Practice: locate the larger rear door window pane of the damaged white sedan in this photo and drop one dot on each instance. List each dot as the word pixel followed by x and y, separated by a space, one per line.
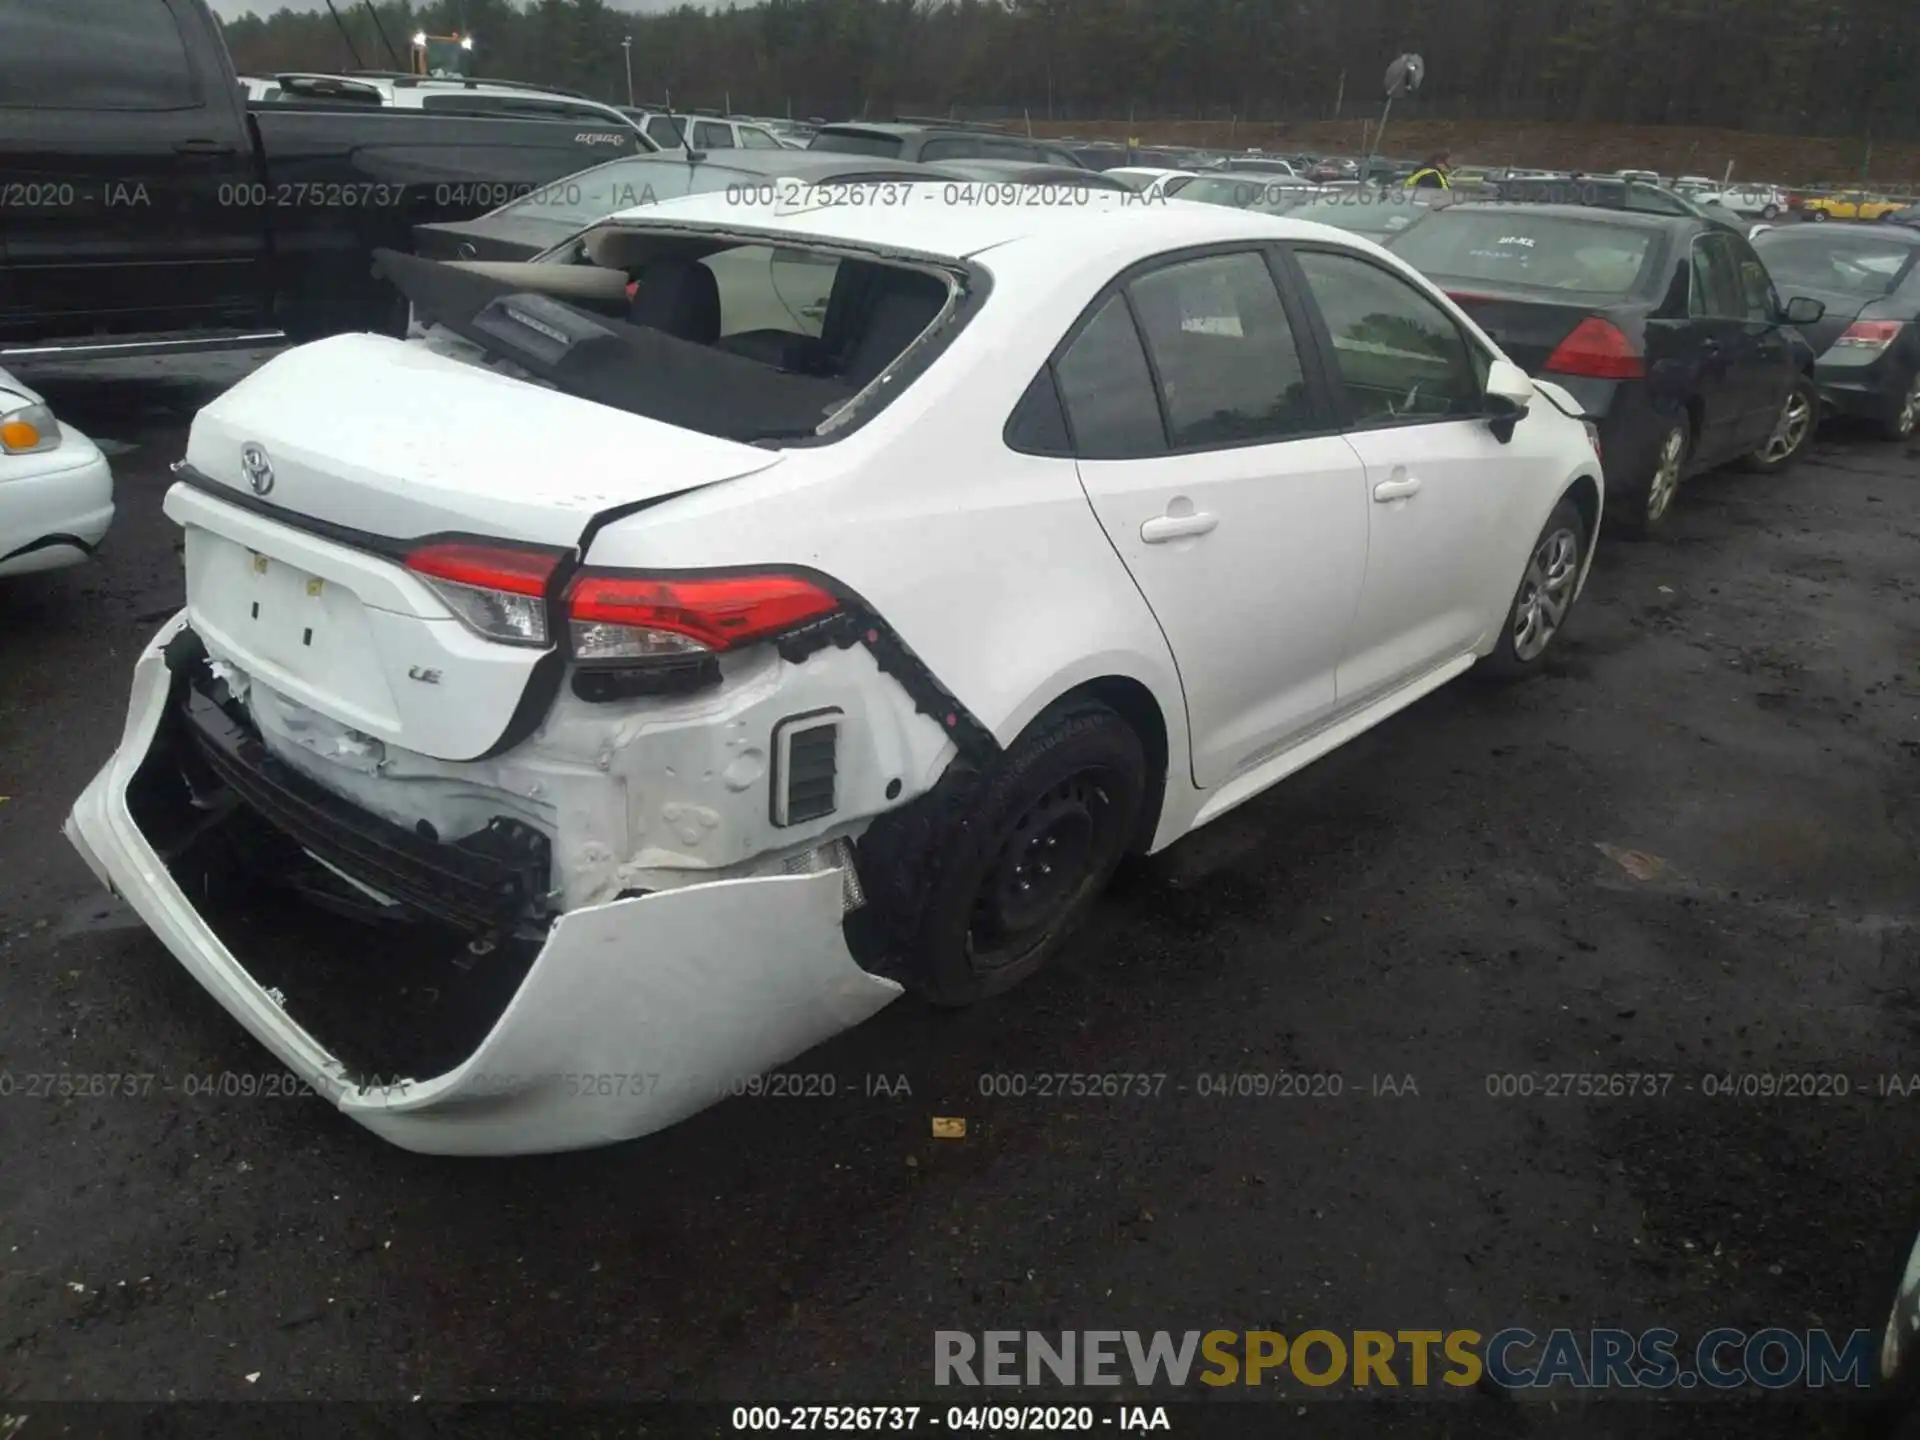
pixel 1230 372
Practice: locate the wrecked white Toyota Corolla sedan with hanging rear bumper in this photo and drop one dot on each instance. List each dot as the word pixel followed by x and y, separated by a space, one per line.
pixel 765 606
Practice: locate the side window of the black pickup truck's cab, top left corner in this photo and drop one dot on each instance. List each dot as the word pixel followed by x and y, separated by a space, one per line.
pixel 93 55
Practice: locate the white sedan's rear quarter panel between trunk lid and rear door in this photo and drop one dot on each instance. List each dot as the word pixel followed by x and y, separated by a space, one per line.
pixel 988 564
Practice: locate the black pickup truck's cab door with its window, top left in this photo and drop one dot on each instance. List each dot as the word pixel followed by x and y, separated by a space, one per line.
pixel 128 147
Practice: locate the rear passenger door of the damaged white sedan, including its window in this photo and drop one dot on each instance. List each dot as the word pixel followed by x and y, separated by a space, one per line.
pixel 1216 471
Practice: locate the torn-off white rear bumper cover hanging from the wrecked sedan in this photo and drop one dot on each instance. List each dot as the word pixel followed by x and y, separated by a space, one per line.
pixel 631 1017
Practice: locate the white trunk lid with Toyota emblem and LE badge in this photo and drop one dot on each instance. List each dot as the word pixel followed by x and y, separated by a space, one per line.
pixel 389 443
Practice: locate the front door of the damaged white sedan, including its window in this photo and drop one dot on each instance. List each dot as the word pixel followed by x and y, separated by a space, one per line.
pixel 1439 491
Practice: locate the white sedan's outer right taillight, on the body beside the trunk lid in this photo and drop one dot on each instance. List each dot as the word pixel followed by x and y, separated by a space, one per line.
pixel 636 617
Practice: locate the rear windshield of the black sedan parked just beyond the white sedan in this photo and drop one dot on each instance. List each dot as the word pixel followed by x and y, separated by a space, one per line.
pixel 1539 252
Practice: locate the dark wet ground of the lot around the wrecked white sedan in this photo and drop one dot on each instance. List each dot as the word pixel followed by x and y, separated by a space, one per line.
pixel 1687 853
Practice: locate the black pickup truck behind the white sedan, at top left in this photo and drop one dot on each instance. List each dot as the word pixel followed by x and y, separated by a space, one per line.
pixel 147 208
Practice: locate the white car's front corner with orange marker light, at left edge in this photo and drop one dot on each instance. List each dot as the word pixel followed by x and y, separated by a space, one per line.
pixel 57 489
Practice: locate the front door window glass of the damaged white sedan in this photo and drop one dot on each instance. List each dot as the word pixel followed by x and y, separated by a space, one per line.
pixel 1401 356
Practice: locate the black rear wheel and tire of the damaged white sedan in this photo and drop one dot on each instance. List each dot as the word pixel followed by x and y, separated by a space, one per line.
pixel 1030 853
